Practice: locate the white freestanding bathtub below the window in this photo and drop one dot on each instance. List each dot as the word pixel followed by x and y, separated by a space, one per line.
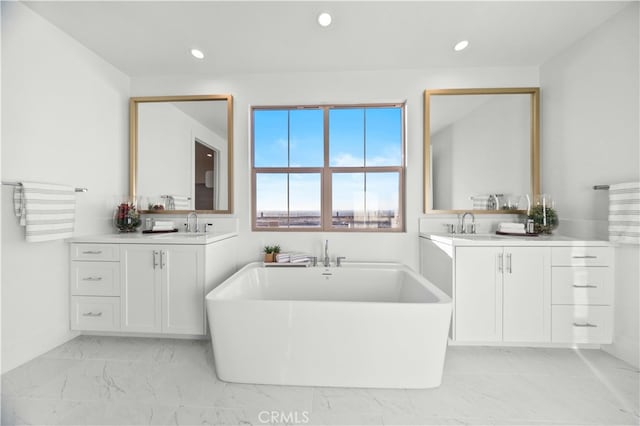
pixel 359 325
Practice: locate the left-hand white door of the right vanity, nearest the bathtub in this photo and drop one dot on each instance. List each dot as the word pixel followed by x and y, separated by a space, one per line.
pixel 478 294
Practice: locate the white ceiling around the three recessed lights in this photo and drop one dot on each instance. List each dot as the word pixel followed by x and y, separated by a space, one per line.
pixel 144 38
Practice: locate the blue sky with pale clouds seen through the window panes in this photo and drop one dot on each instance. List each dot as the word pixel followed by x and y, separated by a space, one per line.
pixel 299 134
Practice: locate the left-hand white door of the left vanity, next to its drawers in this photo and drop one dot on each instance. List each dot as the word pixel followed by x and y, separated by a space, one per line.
pixel 141 291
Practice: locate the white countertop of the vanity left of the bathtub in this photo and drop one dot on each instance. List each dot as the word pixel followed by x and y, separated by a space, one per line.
pixel 168 238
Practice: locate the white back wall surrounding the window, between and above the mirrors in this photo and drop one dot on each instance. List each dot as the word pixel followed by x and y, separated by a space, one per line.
pixel 343 87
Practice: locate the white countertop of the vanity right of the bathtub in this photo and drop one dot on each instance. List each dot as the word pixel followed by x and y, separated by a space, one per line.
pixel 508 240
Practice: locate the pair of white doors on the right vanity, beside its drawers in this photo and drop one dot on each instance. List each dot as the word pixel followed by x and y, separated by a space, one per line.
pixel 502 294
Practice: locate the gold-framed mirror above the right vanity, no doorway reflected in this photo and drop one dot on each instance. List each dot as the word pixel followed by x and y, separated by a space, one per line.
pixel 481 149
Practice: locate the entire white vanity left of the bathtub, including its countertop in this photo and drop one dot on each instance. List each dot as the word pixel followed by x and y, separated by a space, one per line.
pixel 126 284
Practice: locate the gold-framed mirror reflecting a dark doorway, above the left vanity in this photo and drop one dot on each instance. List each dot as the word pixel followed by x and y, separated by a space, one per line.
pixel 181 153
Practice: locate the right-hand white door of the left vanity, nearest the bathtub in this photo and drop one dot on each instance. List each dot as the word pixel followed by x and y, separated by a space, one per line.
pixel 183 289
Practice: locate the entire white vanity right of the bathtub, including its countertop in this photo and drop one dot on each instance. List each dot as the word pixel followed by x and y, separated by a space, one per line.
pixel 529 290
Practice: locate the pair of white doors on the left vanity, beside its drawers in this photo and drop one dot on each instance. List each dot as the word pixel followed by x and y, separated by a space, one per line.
pixel 162 288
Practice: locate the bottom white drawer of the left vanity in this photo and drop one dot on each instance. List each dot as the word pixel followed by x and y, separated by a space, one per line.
pixel 95 313
